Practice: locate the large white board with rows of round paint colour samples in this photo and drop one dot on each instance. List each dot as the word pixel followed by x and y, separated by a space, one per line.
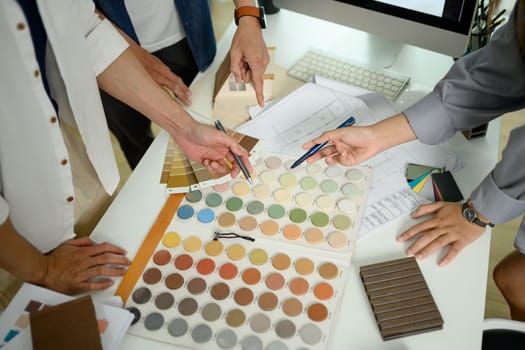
pixel 260 266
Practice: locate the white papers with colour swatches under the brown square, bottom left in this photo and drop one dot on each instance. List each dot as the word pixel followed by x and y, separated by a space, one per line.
pixel 15 331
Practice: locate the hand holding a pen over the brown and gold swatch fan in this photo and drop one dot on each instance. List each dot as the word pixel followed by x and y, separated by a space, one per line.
pixel 211 147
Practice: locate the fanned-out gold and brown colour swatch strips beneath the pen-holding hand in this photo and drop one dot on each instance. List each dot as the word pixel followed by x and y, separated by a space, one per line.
pixel 181 174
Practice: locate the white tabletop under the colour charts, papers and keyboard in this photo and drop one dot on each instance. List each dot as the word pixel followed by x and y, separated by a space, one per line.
pixel 458 289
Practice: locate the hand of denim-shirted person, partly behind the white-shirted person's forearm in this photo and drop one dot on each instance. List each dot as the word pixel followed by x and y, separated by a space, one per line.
pixel 163 75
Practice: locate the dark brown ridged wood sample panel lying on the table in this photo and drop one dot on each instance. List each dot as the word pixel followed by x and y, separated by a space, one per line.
pixel 400 298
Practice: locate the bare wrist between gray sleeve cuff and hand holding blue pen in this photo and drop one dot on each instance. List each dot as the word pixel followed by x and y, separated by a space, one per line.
pixel 392 131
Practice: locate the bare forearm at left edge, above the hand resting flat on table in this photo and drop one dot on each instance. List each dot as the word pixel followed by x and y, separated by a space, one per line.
pixel 19 257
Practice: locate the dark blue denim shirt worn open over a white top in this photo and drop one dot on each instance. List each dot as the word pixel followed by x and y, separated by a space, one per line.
pixel 196 21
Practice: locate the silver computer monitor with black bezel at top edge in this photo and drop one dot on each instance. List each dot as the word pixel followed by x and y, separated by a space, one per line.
pixel 438 25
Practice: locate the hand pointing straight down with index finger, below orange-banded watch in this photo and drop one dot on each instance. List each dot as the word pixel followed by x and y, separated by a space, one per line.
pixel 249 55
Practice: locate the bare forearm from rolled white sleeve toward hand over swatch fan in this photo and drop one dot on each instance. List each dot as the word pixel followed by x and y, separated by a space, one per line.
pixel 127 80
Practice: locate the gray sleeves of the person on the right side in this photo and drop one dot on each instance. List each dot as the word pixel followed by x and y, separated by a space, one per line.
pixel 480 87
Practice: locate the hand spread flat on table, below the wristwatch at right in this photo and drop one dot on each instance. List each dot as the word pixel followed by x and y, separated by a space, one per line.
pixel 446 227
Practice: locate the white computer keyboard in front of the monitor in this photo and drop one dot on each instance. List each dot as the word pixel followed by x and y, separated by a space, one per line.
pixel 381 81
